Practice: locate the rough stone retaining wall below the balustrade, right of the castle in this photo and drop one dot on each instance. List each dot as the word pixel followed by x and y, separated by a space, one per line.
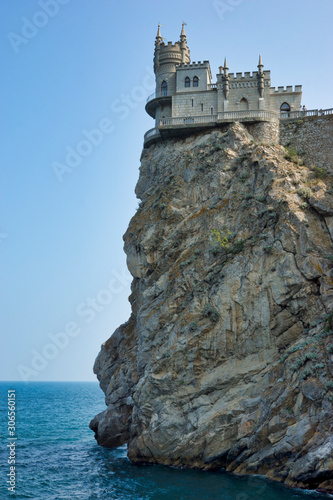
pixel 312 137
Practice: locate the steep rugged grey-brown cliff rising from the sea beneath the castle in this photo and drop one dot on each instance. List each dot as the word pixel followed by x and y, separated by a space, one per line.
pixel 227 359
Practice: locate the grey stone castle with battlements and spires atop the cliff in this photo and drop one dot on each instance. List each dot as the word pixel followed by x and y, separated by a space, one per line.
pixel 186 98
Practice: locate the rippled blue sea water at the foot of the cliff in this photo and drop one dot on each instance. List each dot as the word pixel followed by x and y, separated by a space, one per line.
pixel 57 456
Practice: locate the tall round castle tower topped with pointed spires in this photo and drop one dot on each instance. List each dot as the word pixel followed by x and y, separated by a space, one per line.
pixel 166 58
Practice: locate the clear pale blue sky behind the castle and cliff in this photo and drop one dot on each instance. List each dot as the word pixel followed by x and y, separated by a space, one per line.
pixel 68 66
